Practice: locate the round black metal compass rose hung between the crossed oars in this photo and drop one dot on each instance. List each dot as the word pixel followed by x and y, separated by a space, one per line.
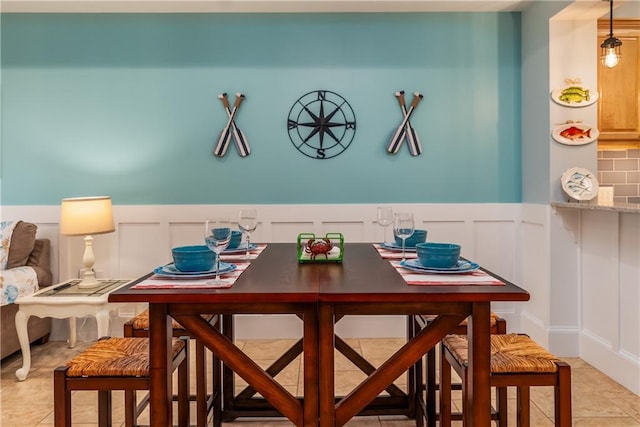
pixel 321 124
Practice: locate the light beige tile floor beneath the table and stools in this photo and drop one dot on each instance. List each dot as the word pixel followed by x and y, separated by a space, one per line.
pixel 597 400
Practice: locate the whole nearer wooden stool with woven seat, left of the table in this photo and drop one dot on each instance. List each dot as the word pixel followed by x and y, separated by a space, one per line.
pixel 117 364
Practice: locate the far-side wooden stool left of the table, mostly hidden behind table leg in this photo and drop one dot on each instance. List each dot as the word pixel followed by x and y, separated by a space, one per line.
pixel 138 326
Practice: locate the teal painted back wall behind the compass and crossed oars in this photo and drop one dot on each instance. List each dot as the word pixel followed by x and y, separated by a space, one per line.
pixel 126 105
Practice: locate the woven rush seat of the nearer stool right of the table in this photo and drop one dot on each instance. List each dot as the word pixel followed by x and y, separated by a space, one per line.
pixel 510 354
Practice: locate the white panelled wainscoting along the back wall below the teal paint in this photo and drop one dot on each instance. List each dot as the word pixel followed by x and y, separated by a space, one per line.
pixel 144 236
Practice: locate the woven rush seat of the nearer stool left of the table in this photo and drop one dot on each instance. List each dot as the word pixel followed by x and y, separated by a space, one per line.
pixel 115 357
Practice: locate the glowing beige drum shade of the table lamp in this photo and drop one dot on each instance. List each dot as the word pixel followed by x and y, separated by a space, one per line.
pixel 86 215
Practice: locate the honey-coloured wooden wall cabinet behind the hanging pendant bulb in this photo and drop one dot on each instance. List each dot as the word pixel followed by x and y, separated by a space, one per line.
pixel 619 87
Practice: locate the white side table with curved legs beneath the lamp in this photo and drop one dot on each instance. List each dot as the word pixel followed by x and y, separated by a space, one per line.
pixel 65 301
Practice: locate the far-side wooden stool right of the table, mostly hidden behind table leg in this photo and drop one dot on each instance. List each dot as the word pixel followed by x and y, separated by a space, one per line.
pixel 426 388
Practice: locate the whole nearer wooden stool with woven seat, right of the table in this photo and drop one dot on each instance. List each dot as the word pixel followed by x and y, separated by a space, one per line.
pixel 516 361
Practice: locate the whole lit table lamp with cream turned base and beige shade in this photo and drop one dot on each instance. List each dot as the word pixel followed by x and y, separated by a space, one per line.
pixel 83 216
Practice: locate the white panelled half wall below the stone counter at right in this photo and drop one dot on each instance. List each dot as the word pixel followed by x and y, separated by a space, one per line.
pixel 606 246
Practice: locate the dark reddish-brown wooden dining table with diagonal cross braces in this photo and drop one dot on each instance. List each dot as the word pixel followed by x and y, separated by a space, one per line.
pixel 320 294
